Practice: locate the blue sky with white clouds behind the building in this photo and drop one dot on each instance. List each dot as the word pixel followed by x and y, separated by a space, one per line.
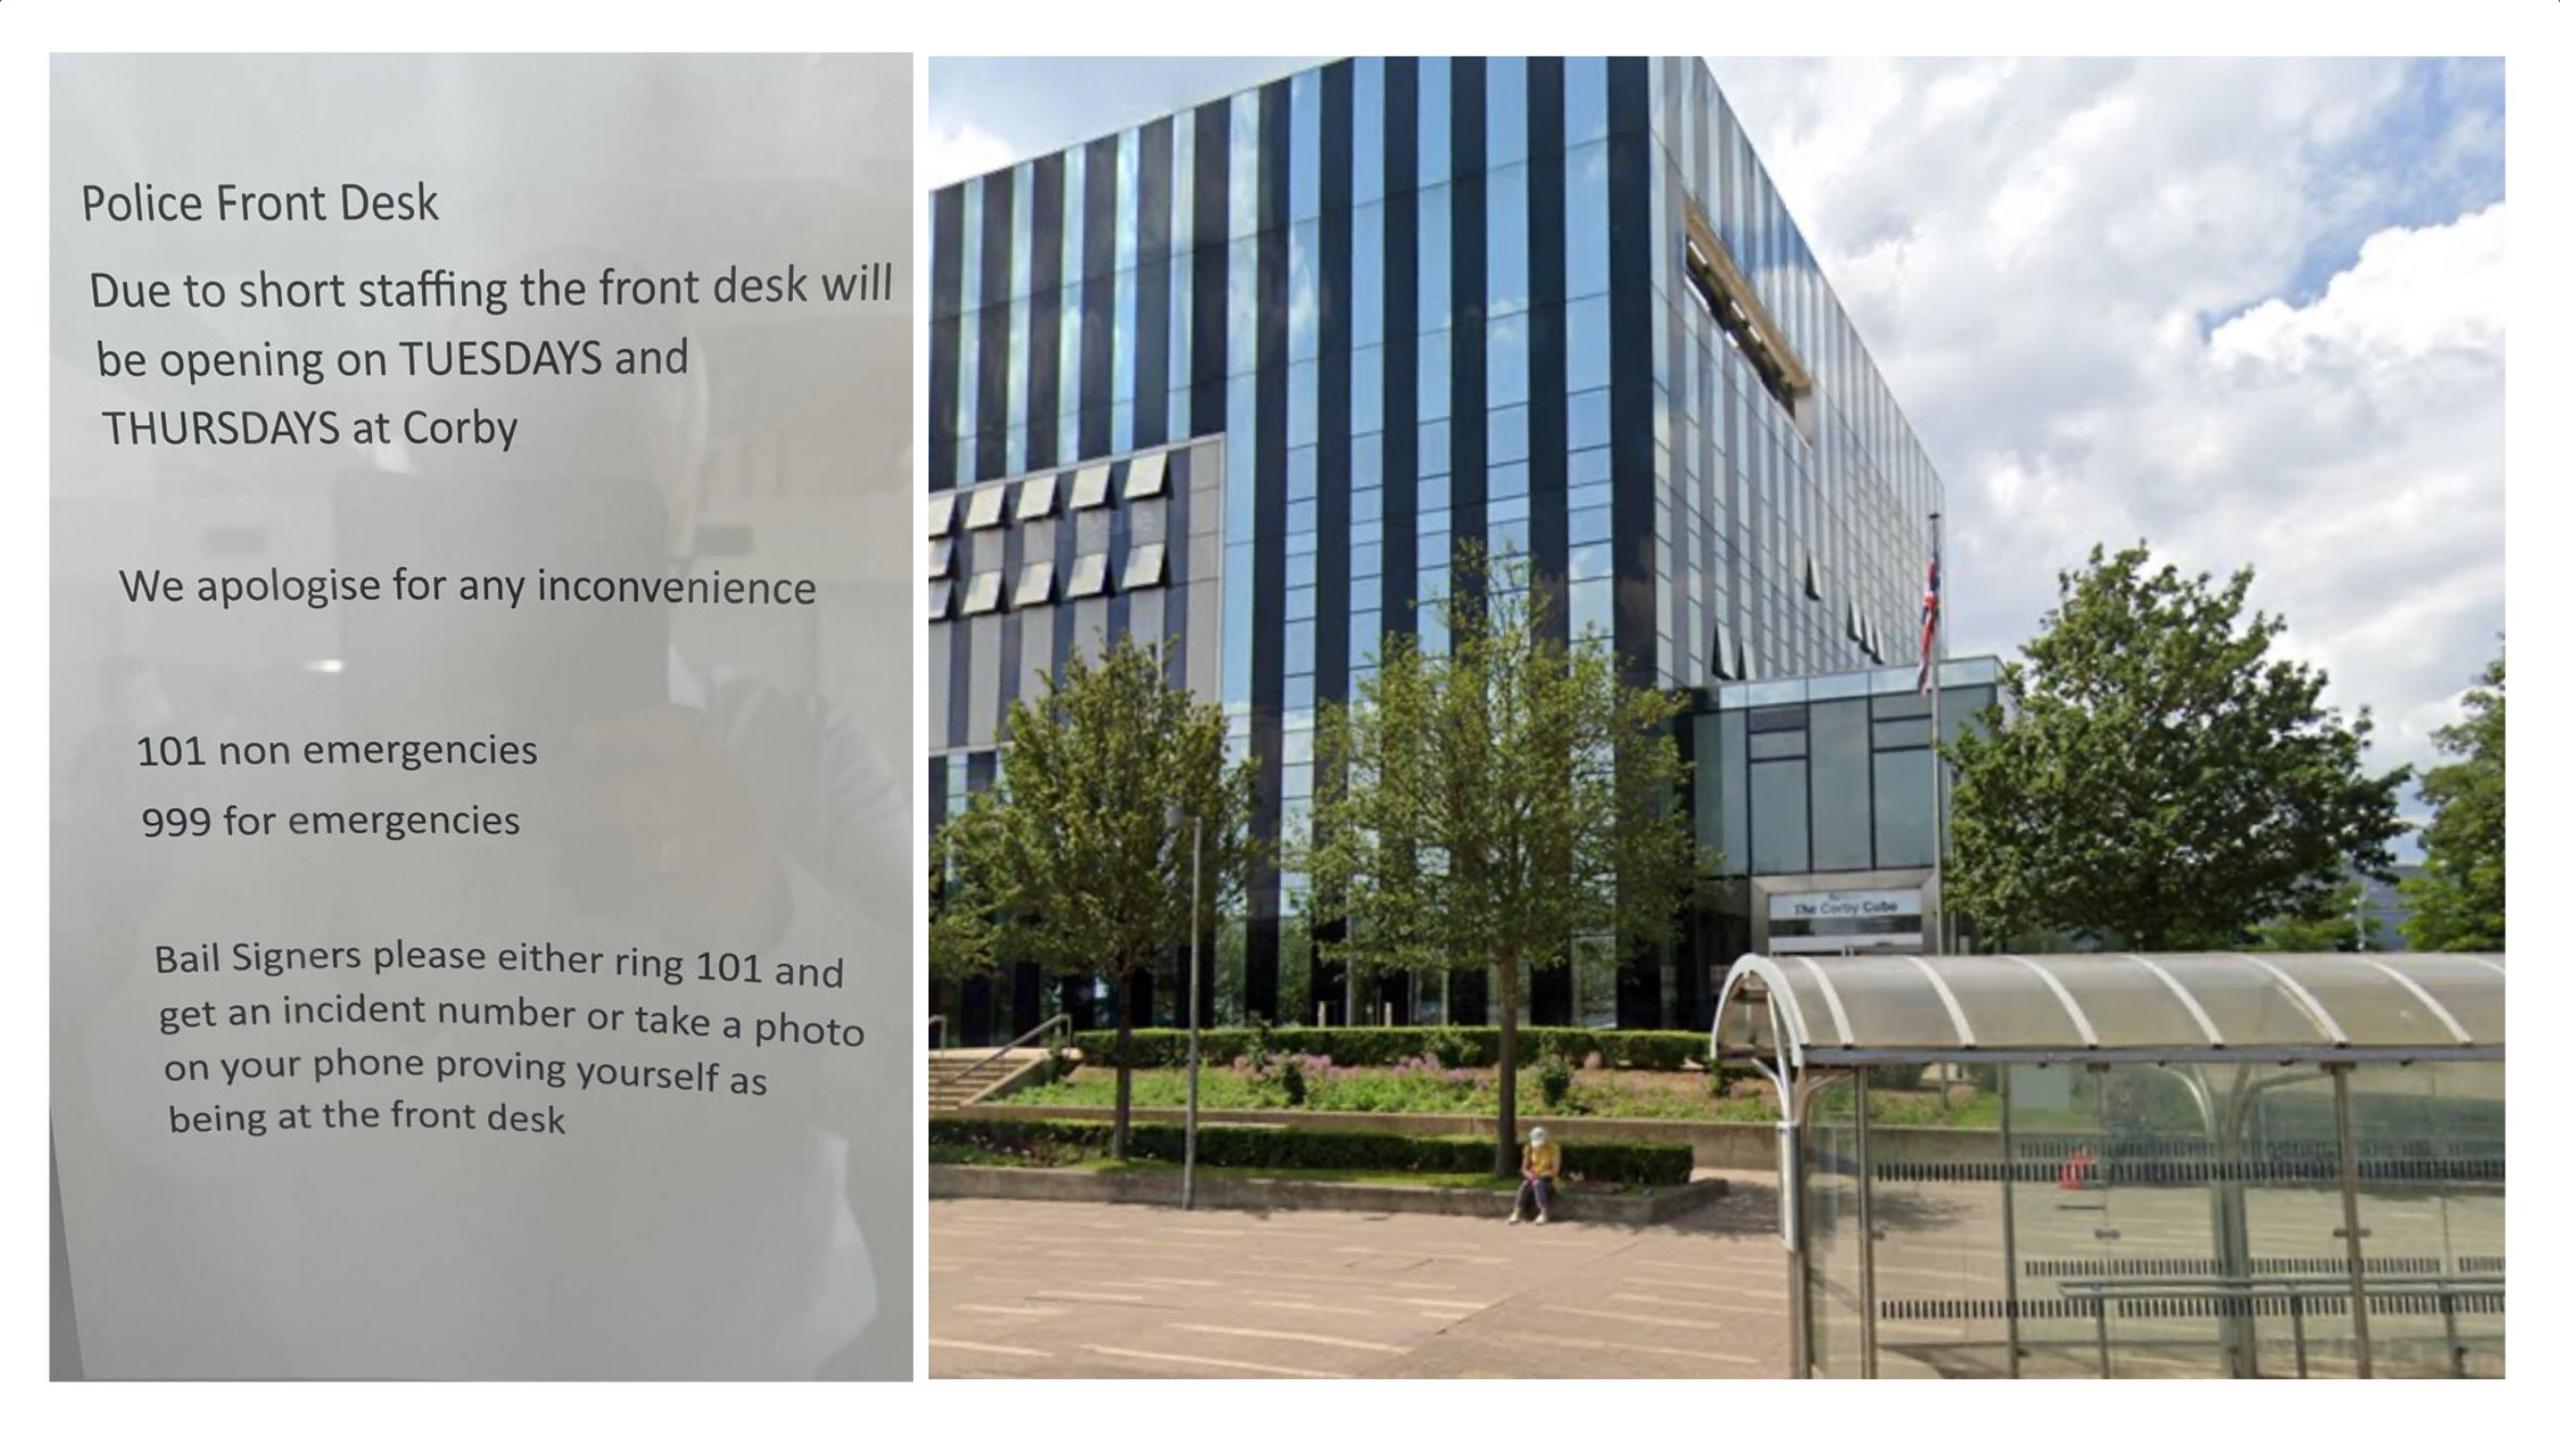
pixel 2246 311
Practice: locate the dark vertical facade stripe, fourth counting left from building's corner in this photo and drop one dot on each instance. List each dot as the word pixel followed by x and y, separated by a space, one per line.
pixel 1399 314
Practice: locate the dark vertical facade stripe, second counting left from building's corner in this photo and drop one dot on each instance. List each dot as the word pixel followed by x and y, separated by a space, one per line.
pixel 1550 990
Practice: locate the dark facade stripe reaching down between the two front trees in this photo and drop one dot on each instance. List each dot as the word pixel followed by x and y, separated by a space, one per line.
pixel 1271 554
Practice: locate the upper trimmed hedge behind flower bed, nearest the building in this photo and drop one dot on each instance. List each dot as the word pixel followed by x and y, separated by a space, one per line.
pixel 1389 1046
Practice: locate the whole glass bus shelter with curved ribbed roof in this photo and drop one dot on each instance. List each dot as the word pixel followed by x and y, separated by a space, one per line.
pixel 2136 1167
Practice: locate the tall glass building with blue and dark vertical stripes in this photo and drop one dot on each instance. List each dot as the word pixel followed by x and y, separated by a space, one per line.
pixel 1248 375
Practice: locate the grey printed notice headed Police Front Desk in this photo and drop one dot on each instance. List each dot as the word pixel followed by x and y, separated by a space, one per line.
pixel 483 716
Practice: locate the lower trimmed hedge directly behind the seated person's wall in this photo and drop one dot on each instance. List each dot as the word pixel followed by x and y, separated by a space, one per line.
pixel 1294 1149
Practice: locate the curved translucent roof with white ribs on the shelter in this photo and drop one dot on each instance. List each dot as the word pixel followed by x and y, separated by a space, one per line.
pixel 2098 1008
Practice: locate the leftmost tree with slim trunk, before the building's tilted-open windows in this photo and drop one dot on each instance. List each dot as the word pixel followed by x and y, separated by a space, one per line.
pixel 1079 859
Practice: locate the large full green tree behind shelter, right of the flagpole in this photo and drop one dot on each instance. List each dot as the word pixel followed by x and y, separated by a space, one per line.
pixel 2154 777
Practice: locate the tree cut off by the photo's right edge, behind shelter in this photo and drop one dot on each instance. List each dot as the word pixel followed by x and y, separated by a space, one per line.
pixel 2459 898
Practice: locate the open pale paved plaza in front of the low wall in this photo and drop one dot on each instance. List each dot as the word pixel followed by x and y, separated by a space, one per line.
pixel 1107 1292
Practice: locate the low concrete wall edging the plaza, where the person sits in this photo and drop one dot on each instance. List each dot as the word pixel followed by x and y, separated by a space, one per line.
pixel 1286 1195
